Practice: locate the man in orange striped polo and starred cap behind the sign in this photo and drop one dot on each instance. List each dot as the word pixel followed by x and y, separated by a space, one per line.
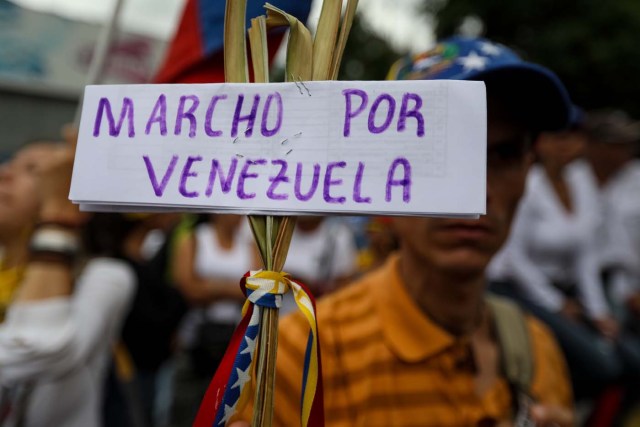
pixel 414 343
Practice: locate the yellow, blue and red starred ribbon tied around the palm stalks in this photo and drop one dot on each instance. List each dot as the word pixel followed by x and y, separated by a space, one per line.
pixel 227 392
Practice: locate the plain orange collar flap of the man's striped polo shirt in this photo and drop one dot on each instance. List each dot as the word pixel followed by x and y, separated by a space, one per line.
pixel 410 334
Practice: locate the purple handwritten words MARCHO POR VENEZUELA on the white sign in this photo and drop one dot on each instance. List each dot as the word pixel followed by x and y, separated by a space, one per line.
pixel 379 116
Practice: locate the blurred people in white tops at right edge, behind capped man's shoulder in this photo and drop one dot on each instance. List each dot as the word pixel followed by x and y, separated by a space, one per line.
pixel 573 257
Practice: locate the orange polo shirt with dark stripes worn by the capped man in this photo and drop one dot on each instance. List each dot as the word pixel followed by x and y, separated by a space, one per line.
pixel 386 364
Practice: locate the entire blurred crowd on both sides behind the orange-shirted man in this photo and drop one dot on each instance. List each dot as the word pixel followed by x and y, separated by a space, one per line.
pixel 122 319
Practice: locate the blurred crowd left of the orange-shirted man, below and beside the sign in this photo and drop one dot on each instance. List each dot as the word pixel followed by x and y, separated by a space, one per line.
pixel 152 328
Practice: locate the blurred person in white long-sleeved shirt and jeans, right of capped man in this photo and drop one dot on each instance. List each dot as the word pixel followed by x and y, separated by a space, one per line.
pixel 551 262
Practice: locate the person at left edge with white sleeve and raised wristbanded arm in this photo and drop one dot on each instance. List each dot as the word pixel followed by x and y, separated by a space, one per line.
pixel 57 336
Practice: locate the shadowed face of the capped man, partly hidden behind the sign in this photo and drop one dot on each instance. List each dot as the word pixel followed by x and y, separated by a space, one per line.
pixel 466 246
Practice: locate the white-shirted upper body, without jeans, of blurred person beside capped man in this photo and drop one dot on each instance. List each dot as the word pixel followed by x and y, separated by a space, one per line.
pixel 552 252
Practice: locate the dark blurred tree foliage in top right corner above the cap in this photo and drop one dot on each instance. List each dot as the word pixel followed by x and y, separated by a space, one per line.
pixel 593 45
